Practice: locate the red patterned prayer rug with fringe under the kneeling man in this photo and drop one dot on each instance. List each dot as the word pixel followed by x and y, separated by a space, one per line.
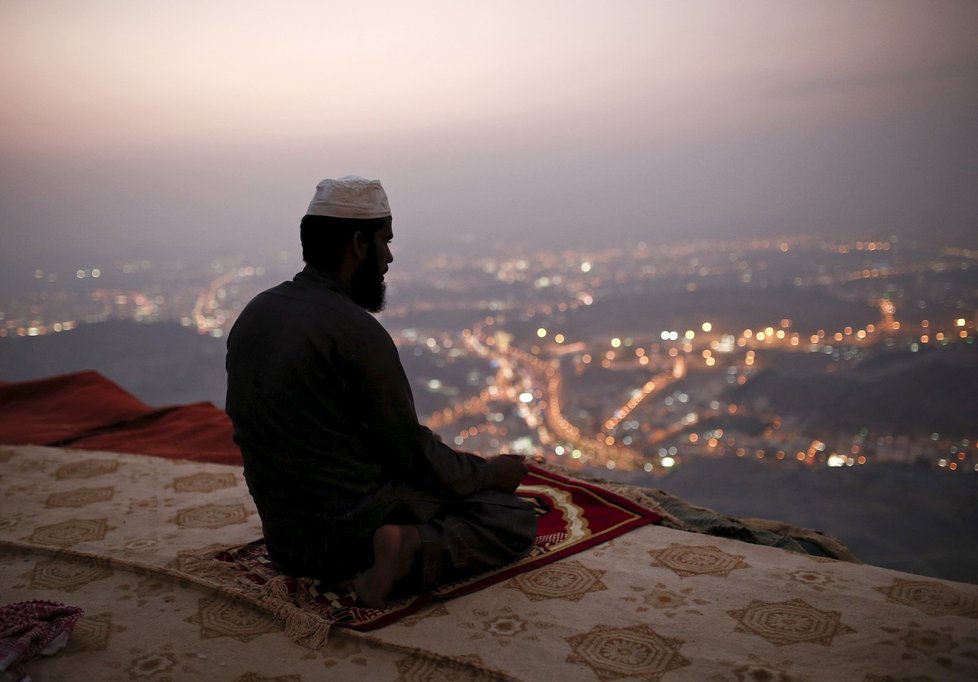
pixel 573 516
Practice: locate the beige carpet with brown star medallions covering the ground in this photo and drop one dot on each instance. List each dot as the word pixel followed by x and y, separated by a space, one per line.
pixel 111 533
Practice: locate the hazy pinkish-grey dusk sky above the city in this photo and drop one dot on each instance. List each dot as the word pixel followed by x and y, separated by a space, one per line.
pixel 129 124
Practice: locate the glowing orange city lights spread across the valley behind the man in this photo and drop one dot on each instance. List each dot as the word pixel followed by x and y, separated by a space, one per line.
pixel 619 391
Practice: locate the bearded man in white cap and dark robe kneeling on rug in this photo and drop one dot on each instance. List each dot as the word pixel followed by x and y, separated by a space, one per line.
pixel 349 486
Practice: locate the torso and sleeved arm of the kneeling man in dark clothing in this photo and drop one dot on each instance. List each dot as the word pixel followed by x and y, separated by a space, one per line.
pixel 325 420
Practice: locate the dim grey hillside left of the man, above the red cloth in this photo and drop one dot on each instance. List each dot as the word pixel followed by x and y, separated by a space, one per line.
pixel 160 363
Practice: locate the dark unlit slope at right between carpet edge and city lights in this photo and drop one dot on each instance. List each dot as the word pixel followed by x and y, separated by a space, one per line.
pixel 894 515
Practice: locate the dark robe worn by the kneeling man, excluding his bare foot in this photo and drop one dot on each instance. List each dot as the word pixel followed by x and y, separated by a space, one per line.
pixel 332 448
